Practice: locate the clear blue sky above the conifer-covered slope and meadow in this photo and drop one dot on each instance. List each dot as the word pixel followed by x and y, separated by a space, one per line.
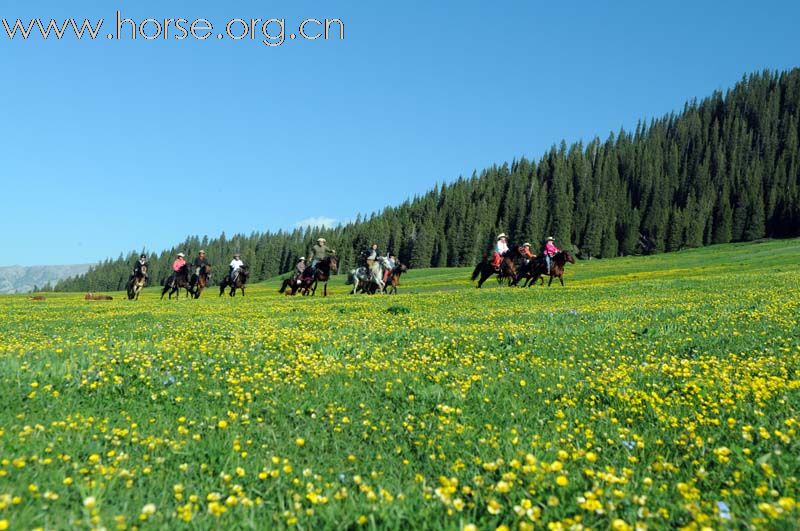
pixel 108 146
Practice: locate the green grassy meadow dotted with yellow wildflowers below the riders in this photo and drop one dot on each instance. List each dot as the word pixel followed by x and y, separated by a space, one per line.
pixel 652 392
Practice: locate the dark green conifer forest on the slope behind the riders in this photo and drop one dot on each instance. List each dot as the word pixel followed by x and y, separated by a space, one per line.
pixel 724 169
